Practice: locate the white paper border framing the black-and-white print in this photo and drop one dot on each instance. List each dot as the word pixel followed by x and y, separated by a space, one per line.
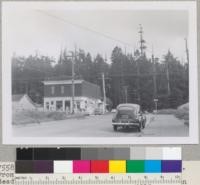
pixel 190 6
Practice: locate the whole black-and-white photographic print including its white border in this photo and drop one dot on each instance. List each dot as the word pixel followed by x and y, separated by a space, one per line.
pixel 99 73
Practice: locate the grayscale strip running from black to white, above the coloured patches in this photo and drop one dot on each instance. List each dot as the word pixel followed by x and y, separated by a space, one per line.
pixel 133 153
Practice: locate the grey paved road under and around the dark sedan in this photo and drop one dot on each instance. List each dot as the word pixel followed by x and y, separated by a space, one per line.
pixel 101 126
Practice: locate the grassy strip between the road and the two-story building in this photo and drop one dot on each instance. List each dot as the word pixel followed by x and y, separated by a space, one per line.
pixel 27 117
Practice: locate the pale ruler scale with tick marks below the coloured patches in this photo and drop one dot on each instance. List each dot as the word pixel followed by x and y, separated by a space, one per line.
pixel 100 179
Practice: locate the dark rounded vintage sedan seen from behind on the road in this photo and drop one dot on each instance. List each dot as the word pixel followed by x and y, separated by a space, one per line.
pixel 129 116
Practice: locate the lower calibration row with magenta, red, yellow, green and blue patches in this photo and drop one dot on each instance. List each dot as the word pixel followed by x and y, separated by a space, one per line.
pixel 99 166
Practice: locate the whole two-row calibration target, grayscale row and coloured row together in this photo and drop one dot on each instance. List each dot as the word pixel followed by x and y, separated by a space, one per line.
pixel 99 160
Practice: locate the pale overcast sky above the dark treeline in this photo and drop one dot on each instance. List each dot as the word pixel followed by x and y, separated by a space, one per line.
pixel 47 32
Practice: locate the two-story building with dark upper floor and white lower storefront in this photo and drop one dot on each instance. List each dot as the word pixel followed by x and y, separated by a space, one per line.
pixel 58 96
